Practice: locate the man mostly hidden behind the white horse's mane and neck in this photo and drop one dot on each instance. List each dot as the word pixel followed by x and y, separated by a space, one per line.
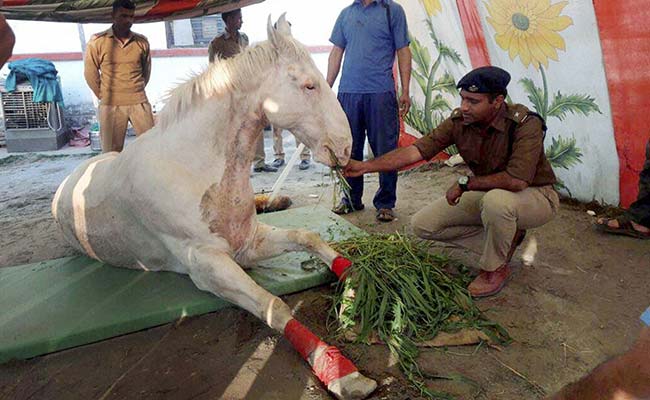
pixel 230 43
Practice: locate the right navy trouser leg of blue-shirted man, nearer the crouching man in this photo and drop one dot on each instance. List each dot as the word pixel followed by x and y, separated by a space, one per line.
pixel 382 121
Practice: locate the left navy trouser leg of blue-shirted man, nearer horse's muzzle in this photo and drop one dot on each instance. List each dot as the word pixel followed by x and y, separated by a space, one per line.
pixel 352 104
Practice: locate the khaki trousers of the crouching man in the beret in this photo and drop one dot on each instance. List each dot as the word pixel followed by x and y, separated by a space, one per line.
pixel 498 213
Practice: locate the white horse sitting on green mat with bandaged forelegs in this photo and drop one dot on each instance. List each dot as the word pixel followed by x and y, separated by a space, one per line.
pixel 179 198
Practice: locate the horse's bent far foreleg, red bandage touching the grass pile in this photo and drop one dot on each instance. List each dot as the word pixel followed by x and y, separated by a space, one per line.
pixel 270 241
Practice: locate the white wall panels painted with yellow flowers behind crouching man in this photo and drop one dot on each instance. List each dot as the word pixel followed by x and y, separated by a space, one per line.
pixel 544 45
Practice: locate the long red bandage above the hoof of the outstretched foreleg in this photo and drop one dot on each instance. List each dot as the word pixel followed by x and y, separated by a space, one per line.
pixel 330 364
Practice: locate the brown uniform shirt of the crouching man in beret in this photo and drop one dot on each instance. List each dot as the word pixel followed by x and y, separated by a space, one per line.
pixel 491 151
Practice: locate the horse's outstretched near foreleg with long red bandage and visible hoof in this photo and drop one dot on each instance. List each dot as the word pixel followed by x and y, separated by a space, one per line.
pixel 216 272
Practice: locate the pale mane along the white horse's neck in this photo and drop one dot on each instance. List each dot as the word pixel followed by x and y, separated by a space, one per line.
pixel 235 74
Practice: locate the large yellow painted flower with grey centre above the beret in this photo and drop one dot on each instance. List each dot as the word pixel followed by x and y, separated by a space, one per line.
pixel 528 29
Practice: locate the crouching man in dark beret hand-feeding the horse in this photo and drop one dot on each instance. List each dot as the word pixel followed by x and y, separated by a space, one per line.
pixel 511 188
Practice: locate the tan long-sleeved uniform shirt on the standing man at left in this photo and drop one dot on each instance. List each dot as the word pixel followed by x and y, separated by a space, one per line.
pixel 117 73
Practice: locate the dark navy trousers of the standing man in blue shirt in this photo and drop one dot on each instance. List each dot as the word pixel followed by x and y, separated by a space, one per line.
pixel 374 115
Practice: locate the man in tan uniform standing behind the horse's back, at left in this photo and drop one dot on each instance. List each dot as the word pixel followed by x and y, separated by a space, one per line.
pixel 117 67
